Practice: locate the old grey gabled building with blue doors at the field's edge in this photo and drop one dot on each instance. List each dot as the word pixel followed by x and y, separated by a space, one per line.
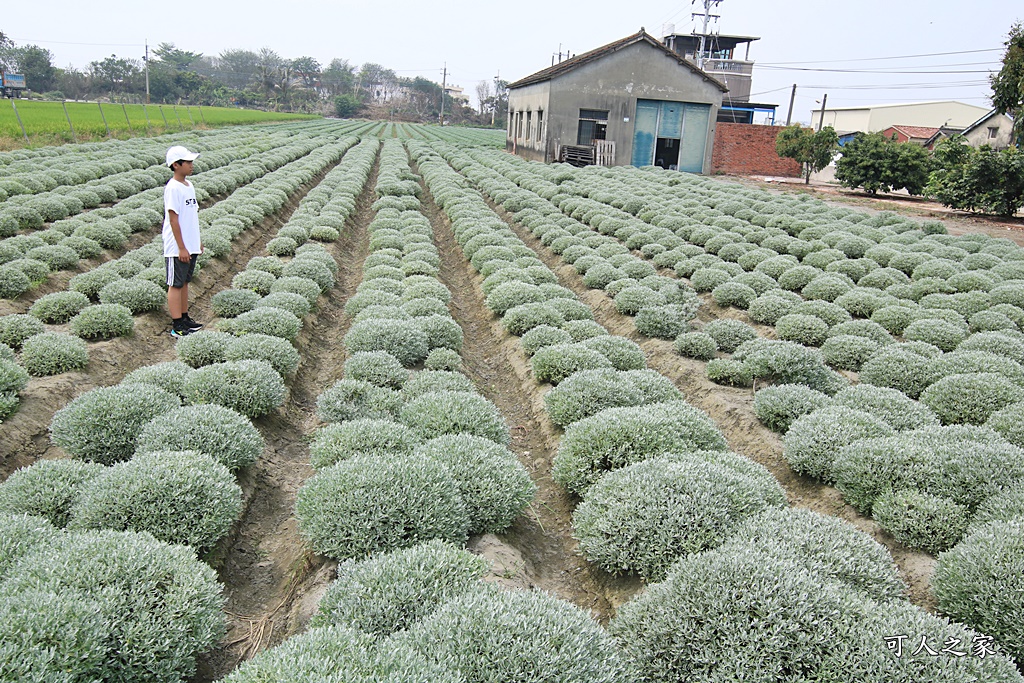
pixel 633 102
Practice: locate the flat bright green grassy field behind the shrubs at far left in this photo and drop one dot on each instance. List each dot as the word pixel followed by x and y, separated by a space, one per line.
pixel 47 122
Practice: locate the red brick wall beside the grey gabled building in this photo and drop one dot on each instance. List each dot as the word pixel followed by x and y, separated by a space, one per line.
pixel 750 150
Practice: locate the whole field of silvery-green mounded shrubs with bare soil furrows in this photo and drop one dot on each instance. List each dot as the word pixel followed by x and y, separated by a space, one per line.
pixel 720 430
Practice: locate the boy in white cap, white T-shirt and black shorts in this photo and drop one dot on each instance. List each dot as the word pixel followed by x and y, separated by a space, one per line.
pixel 182 241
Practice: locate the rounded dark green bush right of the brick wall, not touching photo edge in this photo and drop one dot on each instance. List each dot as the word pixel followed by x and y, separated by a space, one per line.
pixel 878 163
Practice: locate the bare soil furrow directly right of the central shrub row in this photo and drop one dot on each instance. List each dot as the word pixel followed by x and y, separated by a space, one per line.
pixel 539 550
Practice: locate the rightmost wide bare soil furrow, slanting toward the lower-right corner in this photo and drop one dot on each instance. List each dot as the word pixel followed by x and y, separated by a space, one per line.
pixel 733 410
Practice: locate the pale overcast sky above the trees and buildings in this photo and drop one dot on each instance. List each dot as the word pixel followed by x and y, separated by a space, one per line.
pixel 479 40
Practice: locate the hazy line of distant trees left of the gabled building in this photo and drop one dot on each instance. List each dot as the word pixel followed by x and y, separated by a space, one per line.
pixel 262 79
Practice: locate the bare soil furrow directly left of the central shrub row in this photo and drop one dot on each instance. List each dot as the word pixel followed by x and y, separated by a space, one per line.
pixel 273 581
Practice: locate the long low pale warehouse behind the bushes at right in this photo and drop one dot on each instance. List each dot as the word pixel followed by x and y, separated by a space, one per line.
pixel 874 118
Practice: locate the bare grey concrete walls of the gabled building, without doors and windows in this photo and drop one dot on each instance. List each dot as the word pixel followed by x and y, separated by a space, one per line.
pixel 613 83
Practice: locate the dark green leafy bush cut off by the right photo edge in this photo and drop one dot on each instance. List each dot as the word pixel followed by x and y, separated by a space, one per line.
pixel 978 180
